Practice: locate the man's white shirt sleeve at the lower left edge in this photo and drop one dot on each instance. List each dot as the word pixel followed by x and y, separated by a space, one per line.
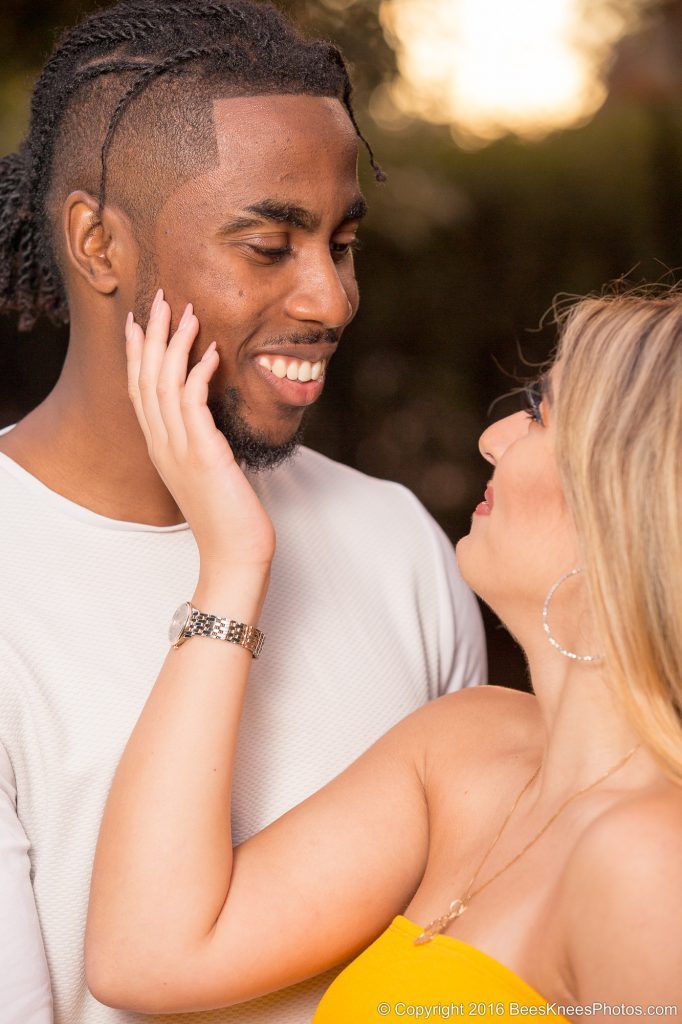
pixel 25 986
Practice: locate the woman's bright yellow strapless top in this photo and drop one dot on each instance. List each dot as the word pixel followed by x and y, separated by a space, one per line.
pixel 444 979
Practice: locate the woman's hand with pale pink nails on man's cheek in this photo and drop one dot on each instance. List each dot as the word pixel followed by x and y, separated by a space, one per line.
pixel 194 459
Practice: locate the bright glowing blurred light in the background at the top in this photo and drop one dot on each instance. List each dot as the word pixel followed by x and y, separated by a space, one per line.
pixel 492 67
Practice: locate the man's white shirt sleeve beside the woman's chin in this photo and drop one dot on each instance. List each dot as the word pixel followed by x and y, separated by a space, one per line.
pixel 462 650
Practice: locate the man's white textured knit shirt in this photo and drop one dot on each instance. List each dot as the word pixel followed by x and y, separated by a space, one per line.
pixel 367 619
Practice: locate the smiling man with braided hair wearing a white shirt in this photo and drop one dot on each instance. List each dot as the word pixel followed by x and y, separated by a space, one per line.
pixel 207 149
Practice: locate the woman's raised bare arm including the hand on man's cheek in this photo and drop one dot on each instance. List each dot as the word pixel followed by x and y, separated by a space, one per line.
pixel 178 920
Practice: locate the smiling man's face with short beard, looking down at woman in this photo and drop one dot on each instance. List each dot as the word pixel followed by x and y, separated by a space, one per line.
pixel 263 246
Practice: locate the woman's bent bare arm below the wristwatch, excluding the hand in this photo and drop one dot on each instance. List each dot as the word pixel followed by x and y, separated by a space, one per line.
pixel 181 922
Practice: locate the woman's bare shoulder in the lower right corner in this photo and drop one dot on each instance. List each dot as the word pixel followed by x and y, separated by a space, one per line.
pixel 624 894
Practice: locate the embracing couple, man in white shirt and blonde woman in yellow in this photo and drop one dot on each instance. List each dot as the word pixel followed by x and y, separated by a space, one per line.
pixel 490 848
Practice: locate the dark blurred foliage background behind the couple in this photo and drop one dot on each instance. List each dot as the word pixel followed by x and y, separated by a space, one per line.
pixel 464 252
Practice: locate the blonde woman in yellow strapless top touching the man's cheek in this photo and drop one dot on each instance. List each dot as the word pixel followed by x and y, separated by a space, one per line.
pixel 495 849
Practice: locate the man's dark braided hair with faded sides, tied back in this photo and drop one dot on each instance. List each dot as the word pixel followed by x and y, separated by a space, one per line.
pixel 123 110
